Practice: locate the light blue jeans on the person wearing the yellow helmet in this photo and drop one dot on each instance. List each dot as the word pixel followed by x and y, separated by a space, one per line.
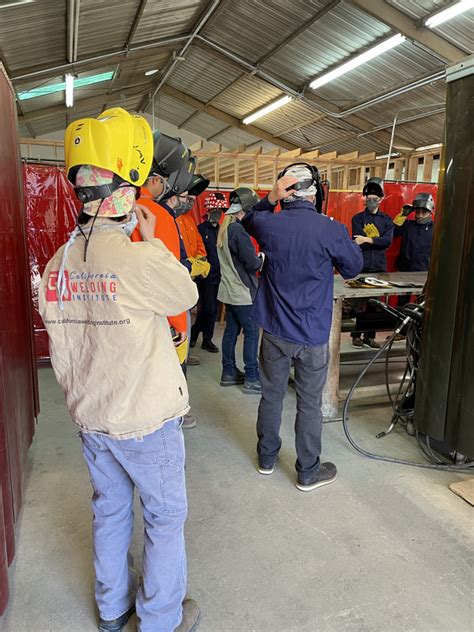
pixel 155 467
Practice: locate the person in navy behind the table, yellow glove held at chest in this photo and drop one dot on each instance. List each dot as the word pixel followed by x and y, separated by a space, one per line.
pixel 372 230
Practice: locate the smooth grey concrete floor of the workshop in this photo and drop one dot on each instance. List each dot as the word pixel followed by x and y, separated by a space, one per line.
pixel 385 548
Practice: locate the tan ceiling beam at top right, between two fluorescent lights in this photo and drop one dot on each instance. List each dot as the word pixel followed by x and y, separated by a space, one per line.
pixel 412 29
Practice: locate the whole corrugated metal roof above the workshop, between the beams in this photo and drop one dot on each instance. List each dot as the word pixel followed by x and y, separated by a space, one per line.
pixel 35 34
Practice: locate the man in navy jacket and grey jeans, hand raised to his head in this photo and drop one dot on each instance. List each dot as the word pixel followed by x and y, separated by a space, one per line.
pixel 293 306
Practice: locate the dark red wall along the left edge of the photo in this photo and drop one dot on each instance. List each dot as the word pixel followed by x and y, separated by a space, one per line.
pixel 18 392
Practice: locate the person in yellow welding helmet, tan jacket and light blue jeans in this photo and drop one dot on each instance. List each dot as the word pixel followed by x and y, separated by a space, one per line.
pixel 106 312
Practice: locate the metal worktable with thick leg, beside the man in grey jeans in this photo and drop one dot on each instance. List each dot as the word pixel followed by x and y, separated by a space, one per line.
pixel 342 291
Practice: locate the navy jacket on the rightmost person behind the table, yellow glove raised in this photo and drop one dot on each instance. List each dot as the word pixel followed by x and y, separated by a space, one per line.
pixel 415 251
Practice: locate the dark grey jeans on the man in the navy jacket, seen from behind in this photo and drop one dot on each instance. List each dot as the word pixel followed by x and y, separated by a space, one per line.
pixel 311 363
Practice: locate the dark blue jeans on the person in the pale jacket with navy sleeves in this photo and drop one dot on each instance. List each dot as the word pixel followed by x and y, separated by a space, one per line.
pixel 238 318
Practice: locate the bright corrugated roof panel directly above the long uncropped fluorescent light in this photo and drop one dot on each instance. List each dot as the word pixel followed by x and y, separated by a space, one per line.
pixel 339 33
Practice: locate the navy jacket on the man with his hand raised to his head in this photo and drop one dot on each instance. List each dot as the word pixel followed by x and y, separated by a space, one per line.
pixel 295 294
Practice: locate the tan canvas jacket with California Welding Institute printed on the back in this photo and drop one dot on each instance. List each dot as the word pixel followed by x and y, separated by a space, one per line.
pixel 111 347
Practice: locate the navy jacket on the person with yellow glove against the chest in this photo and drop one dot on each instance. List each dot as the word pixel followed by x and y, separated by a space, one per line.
pixel 369 224
